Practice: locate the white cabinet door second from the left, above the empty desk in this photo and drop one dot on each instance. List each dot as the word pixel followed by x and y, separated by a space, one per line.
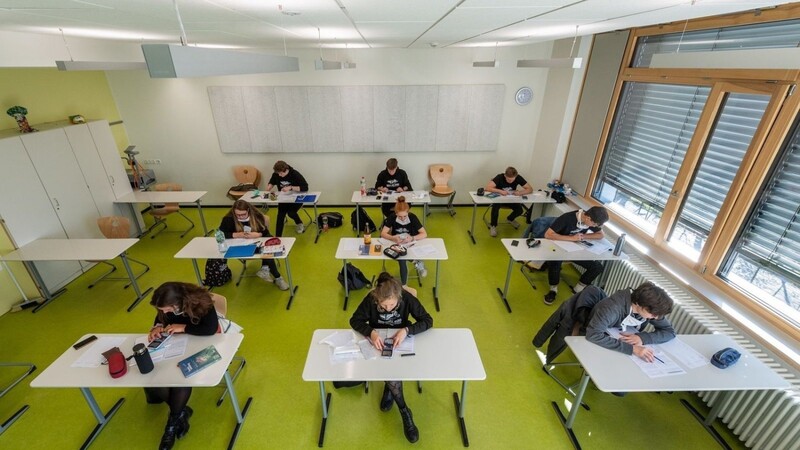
pixel 63 180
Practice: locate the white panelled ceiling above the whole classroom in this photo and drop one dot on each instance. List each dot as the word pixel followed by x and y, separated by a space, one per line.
pixel 268 24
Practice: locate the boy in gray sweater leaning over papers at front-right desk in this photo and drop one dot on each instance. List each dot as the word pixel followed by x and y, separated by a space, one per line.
pixel 631 311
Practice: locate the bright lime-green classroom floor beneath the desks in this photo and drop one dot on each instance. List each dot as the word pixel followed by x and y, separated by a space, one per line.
pixel 509 410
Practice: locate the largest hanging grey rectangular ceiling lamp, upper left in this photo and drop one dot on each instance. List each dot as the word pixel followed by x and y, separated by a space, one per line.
pixel 180 61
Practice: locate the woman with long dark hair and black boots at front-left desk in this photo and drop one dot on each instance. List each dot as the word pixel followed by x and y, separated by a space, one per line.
pixel 182 308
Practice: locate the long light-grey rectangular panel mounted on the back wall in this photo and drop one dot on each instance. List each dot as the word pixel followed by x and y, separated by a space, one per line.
pixel 391 119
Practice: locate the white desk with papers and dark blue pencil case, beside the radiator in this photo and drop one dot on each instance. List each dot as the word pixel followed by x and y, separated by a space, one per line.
pixel 605 367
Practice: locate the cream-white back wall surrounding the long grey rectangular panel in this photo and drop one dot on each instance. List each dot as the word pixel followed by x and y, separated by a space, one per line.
pixel 170 120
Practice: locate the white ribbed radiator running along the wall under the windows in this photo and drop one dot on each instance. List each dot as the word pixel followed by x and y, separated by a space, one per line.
pixel 767 420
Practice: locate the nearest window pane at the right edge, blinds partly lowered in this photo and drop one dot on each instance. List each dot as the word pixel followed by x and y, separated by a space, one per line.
pixel 765 260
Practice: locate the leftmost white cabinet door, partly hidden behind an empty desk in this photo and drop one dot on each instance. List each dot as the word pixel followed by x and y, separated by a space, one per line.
pixel 28 214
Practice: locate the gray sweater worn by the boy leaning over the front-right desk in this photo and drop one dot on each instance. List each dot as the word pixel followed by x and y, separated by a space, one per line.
pixel 610 313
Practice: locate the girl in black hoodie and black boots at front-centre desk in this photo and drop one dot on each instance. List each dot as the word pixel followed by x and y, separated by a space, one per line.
pixel 388 305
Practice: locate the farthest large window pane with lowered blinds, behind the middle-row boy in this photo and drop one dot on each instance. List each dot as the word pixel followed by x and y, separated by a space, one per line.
pixel 651 132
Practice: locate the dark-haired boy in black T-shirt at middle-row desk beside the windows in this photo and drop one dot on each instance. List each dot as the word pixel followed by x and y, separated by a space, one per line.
pixel 575 226
